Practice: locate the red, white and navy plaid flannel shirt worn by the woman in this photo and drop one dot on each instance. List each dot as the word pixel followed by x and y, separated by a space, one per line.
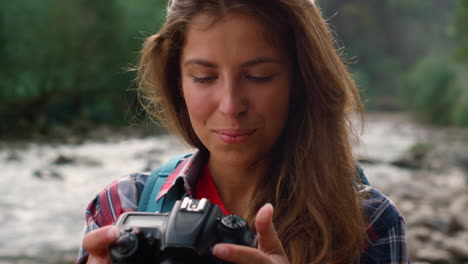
pixel 385 230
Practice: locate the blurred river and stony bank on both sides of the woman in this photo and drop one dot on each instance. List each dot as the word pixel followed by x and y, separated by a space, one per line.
pixel 46 186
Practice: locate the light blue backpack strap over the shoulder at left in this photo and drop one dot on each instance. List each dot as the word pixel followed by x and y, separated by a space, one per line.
pixel 154 183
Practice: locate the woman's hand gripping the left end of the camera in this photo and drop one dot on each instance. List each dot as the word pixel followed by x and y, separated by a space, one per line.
pixel 97 243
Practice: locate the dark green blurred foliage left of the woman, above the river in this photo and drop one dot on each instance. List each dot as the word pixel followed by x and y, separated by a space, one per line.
pixel 64 61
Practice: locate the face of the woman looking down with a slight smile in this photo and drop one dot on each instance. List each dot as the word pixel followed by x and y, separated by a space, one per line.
pixel 236 84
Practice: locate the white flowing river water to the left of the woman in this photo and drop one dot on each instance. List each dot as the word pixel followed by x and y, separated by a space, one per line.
pixel 42 217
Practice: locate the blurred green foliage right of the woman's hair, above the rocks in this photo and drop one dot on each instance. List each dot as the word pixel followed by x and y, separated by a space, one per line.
pixel 404 48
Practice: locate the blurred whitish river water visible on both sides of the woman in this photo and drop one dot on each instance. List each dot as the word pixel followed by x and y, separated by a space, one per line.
pixel 46 187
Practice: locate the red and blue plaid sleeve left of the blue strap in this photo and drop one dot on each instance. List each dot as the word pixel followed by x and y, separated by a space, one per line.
pixel 117 198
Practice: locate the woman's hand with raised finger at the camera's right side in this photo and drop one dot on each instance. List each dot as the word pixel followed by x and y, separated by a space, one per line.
pixel 269 251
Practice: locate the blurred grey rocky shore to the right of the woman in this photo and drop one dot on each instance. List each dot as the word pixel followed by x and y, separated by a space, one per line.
pixel 429 184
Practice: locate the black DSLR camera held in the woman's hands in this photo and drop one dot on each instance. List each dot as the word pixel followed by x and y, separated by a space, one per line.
pixel 185 235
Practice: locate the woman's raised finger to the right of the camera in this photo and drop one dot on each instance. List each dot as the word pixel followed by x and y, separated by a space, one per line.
pixel 268 240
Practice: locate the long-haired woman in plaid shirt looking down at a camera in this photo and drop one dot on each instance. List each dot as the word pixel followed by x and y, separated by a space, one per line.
pixel 259 89
